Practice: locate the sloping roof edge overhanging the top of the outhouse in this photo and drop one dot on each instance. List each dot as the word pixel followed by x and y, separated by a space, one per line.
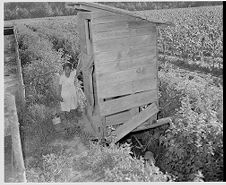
pixel 117 10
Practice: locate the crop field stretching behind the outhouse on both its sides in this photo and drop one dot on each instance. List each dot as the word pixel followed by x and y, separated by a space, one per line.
pixel 196 40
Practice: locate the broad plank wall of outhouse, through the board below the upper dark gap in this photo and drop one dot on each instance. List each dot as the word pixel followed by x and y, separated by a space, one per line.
pixel 125 61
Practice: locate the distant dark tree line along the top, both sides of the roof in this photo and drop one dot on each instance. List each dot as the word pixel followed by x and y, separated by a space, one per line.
pixel 21 10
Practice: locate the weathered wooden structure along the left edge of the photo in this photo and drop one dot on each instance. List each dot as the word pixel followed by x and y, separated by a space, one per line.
pixel 14 100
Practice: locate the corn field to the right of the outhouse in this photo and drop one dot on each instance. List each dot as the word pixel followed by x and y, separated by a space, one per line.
pixel 196 40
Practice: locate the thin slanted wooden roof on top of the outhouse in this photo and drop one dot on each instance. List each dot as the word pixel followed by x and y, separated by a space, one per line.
pixel 91 6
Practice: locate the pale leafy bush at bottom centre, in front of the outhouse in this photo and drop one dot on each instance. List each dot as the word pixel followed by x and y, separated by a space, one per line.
pixel 115 164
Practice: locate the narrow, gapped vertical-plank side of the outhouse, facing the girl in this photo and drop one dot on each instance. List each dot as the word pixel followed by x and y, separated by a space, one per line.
pixel 89 77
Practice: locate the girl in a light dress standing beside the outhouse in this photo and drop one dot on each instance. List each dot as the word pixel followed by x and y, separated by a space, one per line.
pixel 67 91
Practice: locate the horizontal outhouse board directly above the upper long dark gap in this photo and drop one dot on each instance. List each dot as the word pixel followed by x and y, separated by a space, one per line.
pixel 119 89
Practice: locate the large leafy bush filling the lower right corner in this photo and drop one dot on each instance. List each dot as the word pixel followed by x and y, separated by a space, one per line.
pixel 191 145
